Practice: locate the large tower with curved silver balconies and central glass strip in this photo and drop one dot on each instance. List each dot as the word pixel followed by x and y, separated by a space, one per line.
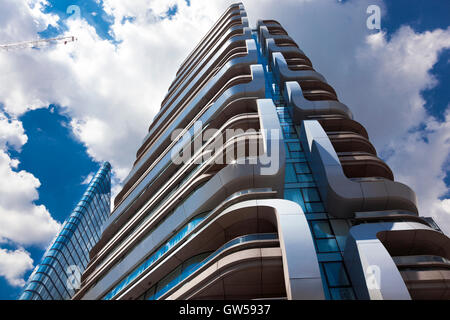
pixel 255 182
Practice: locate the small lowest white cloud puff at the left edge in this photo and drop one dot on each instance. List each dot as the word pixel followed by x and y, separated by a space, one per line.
pixel 14 264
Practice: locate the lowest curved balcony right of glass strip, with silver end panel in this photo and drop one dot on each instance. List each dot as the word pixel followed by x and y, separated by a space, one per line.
pixel 374 244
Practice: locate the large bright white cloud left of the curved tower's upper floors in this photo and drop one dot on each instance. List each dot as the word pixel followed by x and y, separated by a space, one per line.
pixel 111 91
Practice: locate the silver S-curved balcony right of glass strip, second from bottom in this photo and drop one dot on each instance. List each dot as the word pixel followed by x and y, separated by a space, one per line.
pixel 343 196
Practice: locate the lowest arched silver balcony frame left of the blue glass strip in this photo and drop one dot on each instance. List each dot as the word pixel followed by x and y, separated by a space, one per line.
pixel 301 274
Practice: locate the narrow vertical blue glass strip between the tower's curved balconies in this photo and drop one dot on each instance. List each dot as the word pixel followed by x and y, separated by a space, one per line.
pixel 301 188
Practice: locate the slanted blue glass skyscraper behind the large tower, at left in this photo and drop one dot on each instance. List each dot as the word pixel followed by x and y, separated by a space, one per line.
pixel 59 273
